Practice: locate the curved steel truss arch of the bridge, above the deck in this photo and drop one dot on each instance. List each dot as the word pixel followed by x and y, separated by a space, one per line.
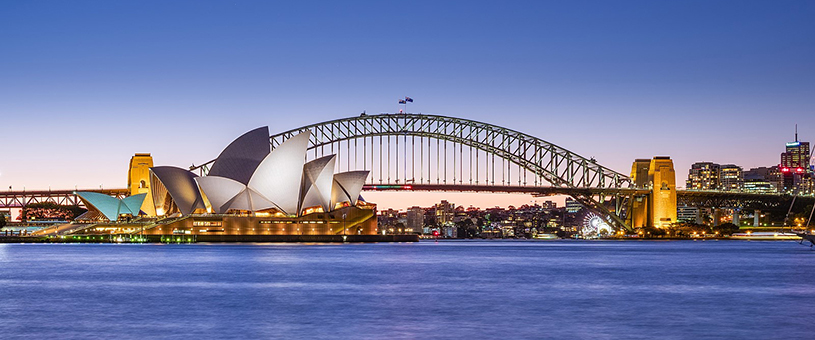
pixel 556 165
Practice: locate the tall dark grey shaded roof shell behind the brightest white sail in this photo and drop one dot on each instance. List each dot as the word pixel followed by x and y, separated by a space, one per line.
pixel 240 158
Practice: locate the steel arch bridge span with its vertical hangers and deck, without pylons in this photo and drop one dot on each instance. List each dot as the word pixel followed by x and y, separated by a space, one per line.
pixel 433 152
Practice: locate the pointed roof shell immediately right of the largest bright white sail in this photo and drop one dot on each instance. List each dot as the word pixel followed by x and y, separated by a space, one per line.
pixel 318 177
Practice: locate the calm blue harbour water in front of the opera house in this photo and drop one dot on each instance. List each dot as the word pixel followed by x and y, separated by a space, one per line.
pixel 456 290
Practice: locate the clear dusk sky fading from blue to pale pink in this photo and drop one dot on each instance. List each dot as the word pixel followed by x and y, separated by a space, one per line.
pixel 86 84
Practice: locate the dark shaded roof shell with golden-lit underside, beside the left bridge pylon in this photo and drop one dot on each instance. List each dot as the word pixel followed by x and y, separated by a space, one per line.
pixel 180 184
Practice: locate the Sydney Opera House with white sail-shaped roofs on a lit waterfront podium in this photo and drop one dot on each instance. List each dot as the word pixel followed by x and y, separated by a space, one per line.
pixel 250 193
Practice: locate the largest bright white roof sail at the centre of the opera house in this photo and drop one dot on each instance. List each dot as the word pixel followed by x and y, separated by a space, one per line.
pixel 278 177
